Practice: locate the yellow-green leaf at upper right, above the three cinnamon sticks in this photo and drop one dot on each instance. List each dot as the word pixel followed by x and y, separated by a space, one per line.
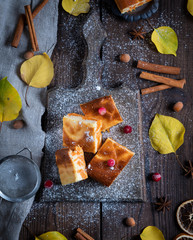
pixel 165 40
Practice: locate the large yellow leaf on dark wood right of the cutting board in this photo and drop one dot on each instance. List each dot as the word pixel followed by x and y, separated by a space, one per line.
pixel 166 134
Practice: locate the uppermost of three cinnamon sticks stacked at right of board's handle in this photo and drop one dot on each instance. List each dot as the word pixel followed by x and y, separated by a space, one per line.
pixel 158 68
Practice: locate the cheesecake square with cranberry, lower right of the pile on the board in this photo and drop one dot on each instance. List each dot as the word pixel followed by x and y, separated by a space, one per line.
pixel 109 161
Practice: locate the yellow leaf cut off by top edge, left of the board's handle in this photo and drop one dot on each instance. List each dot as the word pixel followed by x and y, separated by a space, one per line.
pixel 76 7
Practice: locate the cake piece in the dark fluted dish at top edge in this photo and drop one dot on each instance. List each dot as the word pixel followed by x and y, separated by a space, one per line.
pixel 129 5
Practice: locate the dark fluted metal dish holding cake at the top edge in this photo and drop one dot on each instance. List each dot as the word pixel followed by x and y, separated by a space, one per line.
pixel 143 12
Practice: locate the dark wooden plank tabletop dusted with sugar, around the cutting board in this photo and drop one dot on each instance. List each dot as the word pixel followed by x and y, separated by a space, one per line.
pixel 105 220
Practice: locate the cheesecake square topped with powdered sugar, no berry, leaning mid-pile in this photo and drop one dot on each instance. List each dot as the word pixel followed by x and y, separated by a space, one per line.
pixel 82 131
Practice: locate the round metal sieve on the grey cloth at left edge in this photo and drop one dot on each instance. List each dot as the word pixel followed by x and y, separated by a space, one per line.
pixel 19 177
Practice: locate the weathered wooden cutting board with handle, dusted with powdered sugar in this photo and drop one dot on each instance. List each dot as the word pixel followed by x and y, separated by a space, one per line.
pixel 130 183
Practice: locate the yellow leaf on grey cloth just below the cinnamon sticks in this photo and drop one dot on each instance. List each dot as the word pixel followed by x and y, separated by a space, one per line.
pixel 38 71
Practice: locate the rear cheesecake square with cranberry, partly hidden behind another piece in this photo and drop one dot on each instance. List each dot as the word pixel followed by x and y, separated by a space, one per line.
pixel 104 109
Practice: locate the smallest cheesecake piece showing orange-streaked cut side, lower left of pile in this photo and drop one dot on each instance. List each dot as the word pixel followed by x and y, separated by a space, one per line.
pixel 71 165
